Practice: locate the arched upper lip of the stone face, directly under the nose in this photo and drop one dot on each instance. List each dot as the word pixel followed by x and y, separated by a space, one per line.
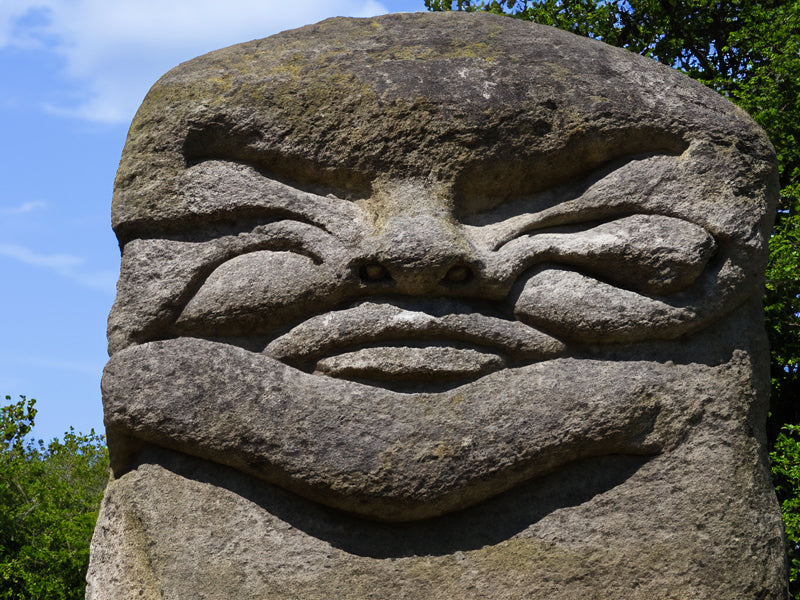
pixel 372 322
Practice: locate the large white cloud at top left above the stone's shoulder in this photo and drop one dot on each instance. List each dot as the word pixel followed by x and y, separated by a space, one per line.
pixel 114 51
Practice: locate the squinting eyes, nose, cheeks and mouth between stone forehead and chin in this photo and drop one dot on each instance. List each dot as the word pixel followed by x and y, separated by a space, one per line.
pixel 405 289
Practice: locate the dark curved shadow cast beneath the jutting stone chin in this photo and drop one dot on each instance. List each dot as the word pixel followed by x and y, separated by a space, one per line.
pixel 486 524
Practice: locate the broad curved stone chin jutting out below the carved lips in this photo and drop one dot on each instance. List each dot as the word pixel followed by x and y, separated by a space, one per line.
pixel 376 452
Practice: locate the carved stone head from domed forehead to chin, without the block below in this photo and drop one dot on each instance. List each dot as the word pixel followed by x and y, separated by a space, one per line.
pixel 399 279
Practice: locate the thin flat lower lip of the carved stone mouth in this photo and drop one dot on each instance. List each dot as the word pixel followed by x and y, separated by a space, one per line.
pixel 406 363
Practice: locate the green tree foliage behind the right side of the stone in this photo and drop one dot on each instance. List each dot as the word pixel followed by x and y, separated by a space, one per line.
pixel 749 51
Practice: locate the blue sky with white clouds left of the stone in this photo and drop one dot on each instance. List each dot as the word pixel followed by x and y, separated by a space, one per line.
pixel 75 72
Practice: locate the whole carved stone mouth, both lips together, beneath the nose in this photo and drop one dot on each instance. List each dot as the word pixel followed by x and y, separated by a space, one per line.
pixel 433 339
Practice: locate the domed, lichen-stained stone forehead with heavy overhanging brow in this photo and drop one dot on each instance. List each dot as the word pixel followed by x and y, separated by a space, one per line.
pixel 472 99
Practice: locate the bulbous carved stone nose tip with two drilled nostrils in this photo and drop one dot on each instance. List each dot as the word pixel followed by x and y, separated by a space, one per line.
pixel 421 254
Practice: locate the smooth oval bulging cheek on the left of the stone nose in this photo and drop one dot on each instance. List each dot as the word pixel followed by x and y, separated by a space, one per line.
pixel 256 292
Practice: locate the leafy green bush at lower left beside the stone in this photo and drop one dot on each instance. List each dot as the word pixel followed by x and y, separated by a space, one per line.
pixel 49 499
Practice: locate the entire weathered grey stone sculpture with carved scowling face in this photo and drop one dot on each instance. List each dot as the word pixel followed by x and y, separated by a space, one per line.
pixel 438 306
